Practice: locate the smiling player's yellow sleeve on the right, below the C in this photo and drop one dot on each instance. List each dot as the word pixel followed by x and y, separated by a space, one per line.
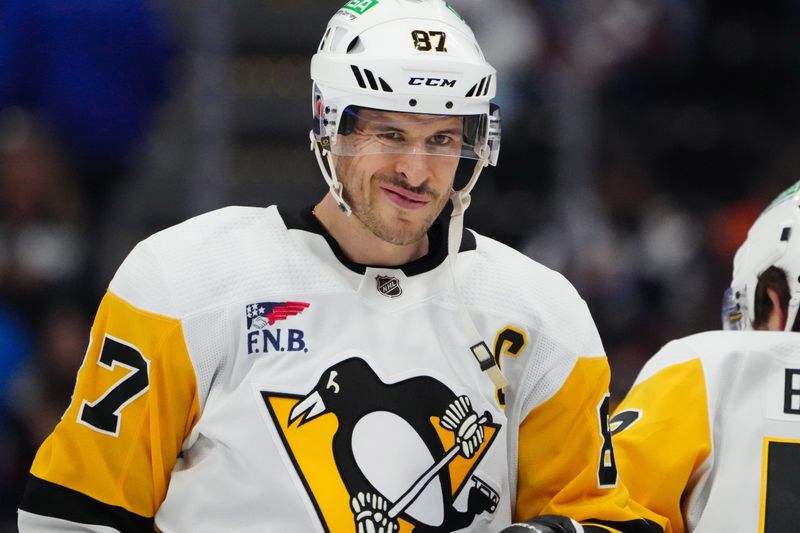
pixel 566 458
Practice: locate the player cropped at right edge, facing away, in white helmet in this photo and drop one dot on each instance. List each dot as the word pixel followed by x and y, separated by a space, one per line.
pixel 709 435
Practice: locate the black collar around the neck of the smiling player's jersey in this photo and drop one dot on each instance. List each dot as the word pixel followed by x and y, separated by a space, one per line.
pixel 305 220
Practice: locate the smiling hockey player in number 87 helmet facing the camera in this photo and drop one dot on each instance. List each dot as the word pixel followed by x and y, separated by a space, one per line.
pixel 338 369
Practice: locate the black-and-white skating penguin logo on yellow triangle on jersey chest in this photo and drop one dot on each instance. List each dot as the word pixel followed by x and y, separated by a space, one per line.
pixel 389 457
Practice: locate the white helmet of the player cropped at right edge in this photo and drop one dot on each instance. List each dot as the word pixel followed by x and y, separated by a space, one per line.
pixel 773 240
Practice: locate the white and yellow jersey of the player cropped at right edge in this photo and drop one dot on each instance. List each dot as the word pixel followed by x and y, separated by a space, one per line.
pixel 709 435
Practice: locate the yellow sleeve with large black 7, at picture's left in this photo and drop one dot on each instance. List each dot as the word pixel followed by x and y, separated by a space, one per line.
pixel 107 463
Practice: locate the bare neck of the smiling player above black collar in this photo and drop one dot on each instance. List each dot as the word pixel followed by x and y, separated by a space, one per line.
pixel 359 244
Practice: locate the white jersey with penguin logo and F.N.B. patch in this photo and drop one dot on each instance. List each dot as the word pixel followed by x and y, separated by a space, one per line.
pixel 244 376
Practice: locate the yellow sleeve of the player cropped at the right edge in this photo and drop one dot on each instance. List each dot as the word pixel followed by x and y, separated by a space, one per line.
pixel 662 435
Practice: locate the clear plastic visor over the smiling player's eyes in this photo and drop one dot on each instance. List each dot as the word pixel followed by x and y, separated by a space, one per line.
pixel 368 131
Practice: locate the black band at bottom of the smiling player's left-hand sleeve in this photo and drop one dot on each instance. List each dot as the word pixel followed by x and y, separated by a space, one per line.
pixel 48 499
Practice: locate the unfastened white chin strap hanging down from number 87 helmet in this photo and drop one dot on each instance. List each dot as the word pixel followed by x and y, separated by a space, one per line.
pixel 480 350
